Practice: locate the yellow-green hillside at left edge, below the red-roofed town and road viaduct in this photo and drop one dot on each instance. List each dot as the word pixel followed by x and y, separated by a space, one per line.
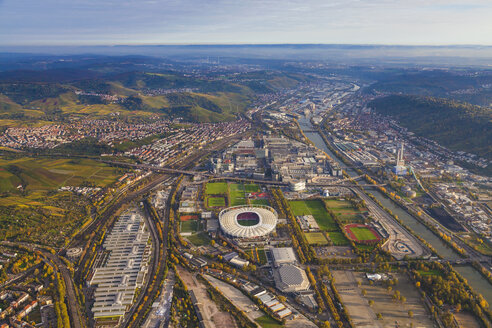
pixel 32 209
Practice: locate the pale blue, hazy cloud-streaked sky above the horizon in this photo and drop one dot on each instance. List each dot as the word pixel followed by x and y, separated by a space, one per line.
pixel 112 22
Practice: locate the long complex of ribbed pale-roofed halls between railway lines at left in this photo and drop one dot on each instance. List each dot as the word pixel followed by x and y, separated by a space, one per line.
pixel 123 267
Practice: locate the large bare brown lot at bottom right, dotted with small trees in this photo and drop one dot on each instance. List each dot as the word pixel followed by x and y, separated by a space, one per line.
pixel 392 311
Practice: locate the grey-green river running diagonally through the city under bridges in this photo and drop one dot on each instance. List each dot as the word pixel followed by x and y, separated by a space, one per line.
pixel 474 278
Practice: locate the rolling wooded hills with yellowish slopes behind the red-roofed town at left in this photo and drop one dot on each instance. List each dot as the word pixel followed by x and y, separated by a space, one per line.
pixel 28 96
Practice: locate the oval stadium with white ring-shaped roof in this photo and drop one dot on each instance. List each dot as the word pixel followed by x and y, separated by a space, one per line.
pixel 248 221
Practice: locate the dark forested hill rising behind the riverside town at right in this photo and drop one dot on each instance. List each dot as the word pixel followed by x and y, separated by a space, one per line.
pixel 458 126
